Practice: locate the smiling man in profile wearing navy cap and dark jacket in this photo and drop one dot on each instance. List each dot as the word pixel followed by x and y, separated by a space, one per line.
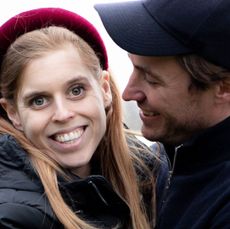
pixel 180 50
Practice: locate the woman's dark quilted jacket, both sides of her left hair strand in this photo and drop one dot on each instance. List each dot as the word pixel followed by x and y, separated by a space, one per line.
pixel 23 204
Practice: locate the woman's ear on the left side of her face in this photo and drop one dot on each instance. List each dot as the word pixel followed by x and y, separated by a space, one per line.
pixel 11 113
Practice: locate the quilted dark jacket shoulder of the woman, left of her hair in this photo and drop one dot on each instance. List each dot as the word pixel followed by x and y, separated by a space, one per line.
pixel 22 200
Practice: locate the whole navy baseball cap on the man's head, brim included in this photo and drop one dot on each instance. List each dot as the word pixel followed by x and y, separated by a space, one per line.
pixel 170 27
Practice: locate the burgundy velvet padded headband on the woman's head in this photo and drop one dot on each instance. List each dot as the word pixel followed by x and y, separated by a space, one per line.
pixel 42 17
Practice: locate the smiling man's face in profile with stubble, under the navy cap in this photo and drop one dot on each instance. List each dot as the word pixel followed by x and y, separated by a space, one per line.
pixel 170 111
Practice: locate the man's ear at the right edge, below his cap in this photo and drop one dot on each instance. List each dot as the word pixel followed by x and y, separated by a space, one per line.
pixel 223 91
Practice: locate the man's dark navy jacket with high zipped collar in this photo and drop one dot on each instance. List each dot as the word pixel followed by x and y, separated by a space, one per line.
pixel 198 194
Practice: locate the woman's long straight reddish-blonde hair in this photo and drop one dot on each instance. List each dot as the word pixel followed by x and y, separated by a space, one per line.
pixel 113 148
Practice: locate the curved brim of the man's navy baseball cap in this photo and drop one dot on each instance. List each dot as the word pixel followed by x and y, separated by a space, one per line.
pixel 135 30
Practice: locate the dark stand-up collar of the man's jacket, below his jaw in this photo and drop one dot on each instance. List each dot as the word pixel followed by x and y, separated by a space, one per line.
pixel 208 147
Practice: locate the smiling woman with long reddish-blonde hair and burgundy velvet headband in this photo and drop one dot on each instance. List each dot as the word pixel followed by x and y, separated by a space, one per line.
pixel 65 157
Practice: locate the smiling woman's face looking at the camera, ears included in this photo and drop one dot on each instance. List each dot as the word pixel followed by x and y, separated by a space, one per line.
pixel 61 106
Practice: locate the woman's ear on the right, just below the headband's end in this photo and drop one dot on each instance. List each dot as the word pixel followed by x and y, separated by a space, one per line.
pixel 107 95
